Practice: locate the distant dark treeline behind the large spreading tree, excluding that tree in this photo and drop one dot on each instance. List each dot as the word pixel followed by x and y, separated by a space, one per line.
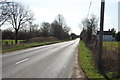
pixel 56 29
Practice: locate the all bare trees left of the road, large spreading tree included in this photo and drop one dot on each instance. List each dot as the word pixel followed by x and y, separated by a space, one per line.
pixel 21 20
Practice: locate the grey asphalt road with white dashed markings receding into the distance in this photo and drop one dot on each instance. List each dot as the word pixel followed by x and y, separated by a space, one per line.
pixel 49 61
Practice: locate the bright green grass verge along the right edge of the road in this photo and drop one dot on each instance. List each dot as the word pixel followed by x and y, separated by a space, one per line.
pixel 87 63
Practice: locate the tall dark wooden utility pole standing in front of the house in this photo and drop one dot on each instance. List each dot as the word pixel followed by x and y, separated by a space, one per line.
pixel 101 36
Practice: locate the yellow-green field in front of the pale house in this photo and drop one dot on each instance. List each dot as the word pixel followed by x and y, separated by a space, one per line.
pixel 111 46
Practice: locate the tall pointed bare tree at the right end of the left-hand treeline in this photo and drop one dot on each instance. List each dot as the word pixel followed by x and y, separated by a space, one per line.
pixel 59 28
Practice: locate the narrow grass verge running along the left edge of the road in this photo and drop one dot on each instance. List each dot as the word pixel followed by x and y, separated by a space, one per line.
pixel 23 46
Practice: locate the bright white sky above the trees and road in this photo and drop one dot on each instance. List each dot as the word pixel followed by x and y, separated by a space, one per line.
pixel 73 11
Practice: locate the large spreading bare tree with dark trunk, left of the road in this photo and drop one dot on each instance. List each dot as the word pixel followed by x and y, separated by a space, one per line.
pixel 18 17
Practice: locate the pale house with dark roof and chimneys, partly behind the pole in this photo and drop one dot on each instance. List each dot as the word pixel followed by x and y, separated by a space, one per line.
pixel 107 36
